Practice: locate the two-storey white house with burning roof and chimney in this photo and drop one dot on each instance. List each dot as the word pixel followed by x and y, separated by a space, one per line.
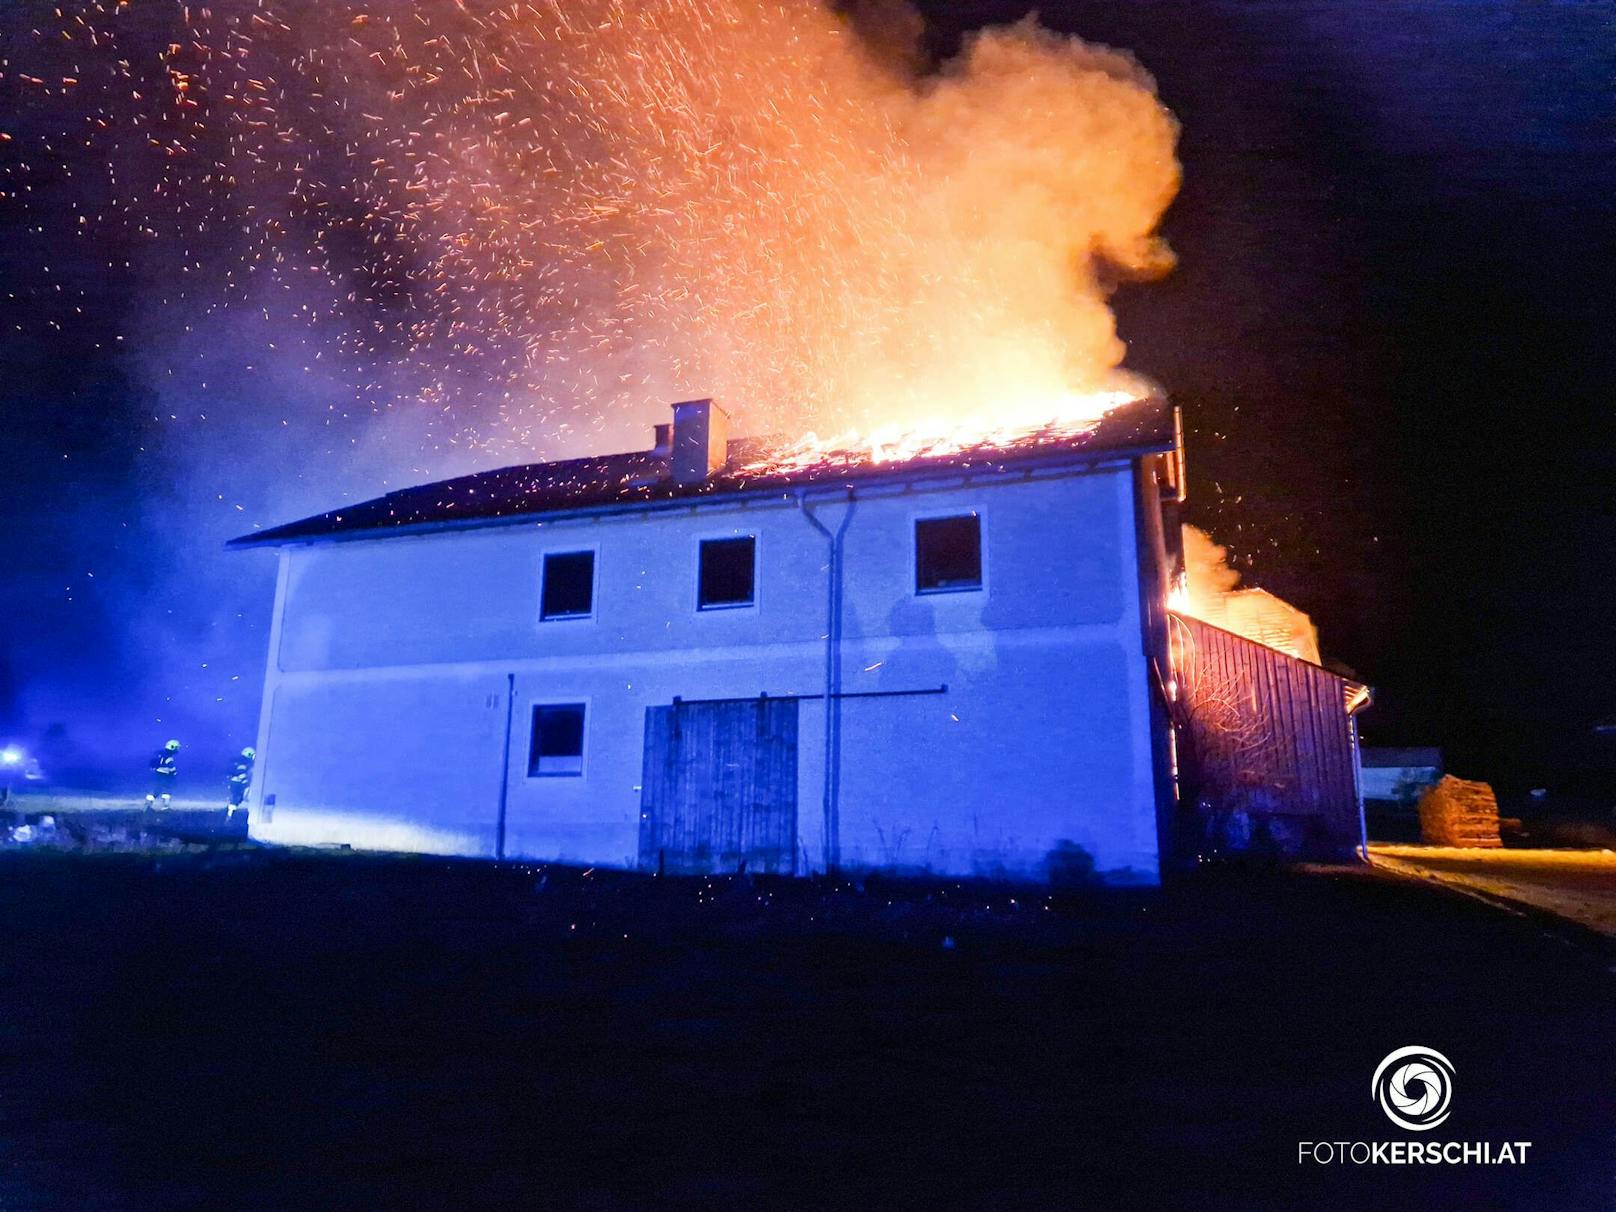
pixel 722 655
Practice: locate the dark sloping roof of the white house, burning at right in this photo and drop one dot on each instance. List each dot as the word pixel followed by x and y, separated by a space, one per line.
pixel 641 478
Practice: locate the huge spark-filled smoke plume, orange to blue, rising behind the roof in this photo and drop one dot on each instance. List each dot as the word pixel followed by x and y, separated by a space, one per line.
pixel 368 245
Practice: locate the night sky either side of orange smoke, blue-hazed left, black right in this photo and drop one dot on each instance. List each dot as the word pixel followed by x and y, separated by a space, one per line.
pixel 1389 330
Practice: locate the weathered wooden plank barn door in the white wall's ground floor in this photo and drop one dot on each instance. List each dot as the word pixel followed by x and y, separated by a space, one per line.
pixel 720 788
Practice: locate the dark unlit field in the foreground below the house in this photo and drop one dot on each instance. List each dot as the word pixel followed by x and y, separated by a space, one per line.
pixel 277 1030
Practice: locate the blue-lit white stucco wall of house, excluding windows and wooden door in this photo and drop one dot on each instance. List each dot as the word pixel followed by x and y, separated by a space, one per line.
pixel 387 697
